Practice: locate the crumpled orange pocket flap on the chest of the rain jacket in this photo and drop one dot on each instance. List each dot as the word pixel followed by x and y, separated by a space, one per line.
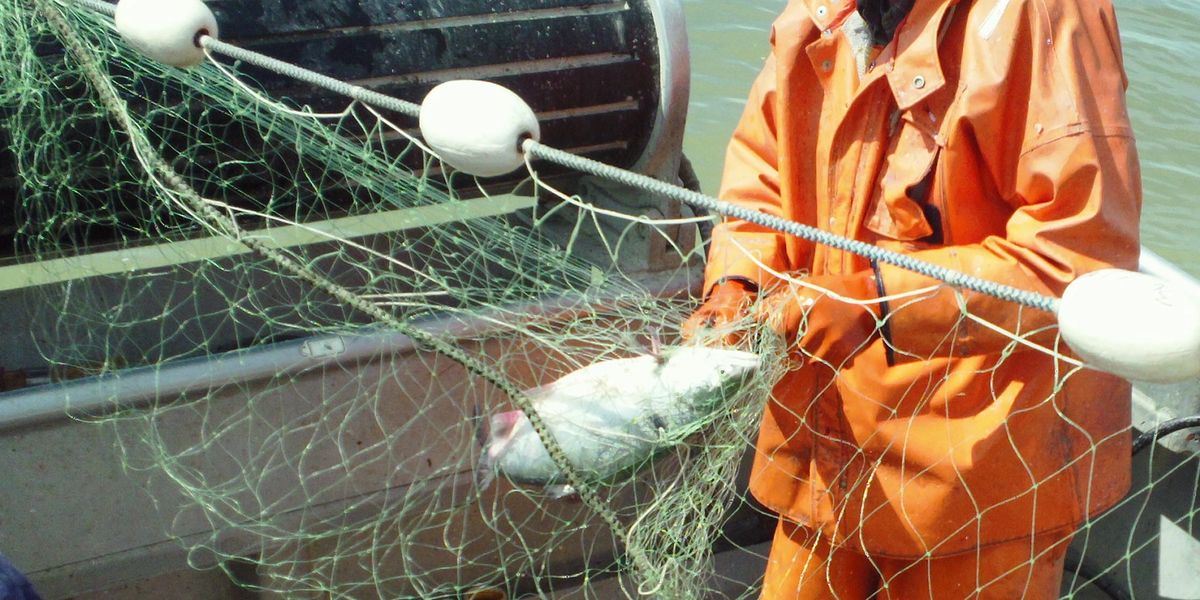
pixel 902 208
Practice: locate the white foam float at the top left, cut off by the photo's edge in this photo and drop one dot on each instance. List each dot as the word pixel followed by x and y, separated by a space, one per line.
pixel 166 31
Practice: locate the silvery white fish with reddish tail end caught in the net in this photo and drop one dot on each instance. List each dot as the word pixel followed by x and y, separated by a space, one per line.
pixel 614 417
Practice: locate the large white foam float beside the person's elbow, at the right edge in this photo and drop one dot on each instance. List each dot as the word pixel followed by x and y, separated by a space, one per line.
pixel 1133 326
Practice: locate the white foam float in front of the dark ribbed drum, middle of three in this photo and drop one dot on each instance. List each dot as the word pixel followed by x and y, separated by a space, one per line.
pixel 478 127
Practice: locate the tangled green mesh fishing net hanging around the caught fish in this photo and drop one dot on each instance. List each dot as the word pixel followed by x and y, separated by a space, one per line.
pixel 329 332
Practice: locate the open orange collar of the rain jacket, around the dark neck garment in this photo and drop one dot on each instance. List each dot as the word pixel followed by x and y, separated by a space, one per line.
pixel 911 62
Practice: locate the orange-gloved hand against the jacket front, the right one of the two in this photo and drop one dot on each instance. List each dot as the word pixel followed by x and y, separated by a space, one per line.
pixel 825 317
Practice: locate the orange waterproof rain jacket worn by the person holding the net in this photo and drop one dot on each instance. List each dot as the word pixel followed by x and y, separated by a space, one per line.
pixel 991 137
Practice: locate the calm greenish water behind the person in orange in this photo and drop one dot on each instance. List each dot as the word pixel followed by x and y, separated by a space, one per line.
pixel 1162 45
